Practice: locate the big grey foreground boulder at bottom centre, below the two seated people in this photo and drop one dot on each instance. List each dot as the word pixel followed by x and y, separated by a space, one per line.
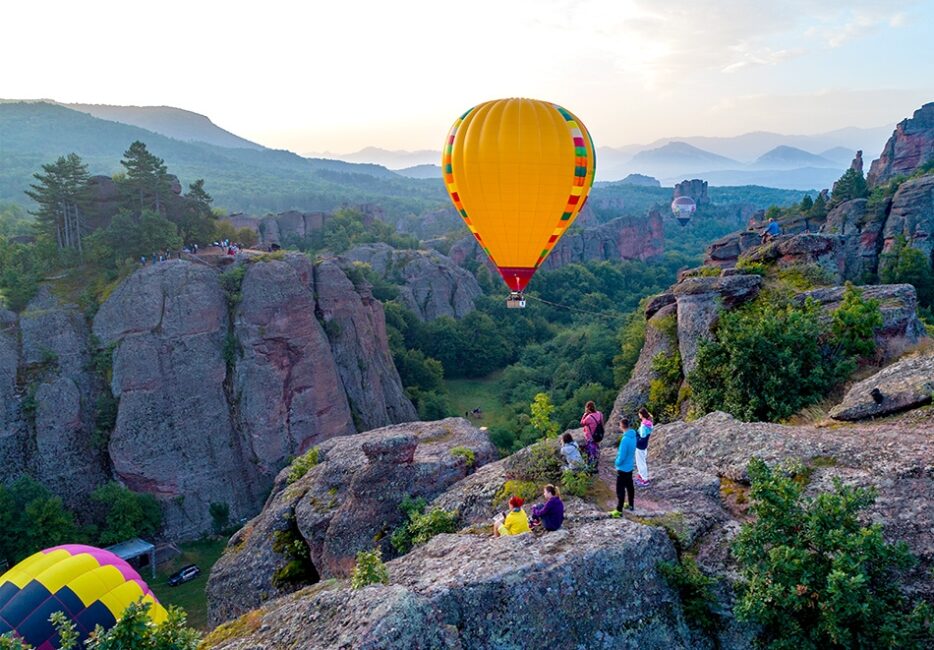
pixel 469 592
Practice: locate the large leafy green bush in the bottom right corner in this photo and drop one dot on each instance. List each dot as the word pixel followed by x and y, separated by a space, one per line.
pixel 816 577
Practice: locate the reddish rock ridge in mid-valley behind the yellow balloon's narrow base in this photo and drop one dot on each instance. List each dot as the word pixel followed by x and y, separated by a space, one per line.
pixel 624 238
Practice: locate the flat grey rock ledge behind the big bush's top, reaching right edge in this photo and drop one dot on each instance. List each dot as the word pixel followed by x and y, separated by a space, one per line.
pixel 901 327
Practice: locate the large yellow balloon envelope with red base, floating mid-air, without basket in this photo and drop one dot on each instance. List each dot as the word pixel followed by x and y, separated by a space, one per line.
pixel 518 172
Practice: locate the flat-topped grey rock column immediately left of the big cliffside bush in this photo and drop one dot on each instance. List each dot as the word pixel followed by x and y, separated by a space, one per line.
pixel 699 301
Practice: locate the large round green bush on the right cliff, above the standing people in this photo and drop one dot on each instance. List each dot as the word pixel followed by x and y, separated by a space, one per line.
pixel 766 362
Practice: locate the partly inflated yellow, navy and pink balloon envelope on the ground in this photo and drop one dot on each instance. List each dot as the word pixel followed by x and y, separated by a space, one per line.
pixel 90 585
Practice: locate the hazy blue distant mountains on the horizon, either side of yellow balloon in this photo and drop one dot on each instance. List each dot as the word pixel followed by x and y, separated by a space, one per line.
pixel 763 158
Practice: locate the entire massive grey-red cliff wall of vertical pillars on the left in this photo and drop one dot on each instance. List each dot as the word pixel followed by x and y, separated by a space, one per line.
pixel 214 386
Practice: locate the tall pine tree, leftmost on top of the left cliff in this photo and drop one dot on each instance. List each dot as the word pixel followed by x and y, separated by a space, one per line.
pixel 61 194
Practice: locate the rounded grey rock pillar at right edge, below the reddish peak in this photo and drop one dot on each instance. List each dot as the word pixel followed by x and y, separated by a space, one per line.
pixel 911 216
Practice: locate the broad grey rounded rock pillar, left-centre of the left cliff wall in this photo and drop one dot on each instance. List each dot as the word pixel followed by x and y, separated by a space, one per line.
pixel 175 437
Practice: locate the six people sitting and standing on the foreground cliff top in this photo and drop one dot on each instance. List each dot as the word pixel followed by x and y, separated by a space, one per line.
pixel 631 455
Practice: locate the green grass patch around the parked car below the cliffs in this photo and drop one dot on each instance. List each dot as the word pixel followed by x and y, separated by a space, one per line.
pixel 190 596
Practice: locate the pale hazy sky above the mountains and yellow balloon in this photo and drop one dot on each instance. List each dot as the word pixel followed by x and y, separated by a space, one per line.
pixel 340 75
